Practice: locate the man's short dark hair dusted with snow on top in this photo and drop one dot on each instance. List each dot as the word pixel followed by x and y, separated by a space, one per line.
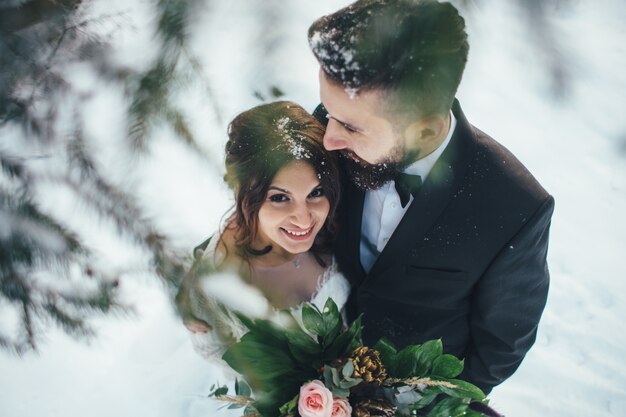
pixel 414 51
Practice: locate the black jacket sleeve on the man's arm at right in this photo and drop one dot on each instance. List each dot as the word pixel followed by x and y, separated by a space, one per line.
pixel 507 303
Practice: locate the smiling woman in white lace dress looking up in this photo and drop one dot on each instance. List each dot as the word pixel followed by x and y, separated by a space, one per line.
pixel 286 189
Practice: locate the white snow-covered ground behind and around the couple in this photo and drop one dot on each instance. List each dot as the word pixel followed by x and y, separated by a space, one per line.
pixel 144 365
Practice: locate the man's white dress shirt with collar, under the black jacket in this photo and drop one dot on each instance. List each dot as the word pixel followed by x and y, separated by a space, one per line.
pixel 382 210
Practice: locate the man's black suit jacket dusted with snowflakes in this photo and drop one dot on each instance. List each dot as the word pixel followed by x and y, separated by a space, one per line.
pixel 466 264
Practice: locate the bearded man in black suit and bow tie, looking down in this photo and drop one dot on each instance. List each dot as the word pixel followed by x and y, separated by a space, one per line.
pixel 443 232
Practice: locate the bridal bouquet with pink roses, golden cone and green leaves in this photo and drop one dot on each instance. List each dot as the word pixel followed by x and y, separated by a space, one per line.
pixel 323 370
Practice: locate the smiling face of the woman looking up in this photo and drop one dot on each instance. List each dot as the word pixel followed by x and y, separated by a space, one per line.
pixel 294 210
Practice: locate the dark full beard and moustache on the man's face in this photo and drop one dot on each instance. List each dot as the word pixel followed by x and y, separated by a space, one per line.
pixel 366 176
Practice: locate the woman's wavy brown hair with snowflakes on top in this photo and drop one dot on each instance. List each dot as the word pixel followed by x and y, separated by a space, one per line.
pixel 262 141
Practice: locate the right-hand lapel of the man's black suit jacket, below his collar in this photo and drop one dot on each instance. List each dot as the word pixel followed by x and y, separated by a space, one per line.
pixel 437 191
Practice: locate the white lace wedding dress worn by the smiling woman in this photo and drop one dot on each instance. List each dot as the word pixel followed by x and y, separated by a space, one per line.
pixel 227 328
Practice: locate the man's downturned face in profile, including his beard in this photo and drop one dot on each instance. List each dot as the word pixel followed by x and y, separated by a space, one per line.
pixel 372 150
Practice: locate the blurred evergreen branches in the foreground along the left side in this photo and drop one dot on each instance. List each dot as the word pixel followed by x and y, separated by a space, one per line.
pixel 47 272
